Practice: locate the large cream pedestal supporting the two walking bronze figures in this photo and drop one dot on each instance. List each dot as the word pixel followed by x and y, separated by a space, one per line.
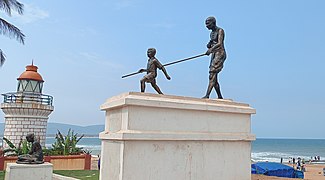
pixel 159 137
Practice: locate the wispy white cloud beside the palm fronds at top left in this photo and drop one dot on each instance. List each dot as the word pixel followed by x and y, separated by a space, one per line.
pixel 31 14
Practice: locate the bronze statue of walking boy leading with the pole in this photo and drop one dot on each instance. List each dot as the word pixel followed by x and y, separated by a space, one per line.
pixel 151 70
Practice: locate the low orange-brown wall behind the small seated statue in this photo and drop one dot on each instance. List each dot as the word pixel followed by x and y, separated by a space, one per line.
pixel 70 162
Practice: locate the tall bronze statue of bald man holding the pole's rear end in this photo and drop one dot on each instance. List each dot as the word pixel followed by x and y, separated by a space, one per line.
pixel 218 55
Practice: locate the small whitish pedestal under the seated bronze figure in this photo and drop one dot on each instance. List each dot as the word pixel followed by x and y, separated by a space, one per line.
pixel 16 171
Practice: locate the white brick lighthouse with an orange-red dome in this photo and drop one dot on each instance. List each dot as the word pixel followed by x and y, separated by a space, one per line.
pixel 27 110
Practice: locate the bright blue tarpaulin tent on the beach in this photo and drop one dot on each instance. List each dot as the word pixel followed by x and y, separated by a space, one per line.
pixel 273 169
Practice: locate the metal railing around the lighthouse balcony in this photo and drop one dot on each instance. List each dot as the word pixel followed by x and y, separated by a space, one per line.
pixel 25 97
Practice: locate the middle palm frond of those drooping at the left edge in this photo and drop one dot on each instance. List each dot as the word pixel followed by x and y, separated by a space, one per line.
pixel 12 31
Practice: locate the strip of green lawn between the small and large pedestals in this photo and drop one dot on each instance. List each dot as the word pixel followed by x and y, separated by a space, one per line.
pixel 79 174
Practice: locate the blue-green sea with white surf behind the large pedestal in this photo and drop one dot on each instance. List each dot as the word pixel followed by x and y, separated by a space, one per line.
pixel 271 150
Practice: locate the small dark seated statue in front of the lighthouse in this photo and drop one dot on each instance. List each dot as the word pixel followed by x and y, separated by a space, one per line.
pixel 35 155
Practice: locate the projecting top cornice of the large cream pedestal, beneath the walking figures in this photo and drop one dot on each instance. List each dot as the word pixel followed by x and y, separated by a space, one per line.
pixel 176 102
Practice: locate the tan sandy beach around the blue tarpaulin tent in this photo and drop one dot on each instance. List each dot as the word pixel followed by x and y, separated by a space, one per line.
pixel 313 172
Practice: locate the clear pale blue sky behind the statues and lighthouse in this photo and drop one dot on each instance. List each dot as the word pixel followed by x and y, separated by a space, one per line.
pixel 275 56
